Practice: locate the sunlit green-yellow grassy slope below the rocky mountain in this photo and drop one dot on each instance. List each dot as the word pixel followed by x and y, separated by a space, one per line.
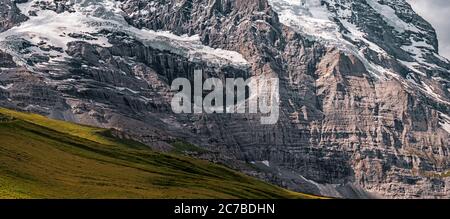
pixel 43 158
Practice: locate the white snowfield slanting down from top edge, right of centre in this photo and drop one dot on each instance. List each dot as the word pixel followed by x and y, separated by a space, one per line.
pixel 313 19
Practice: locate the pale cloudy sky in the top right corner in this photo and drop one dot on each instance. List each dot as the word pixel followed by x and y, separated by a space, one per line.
pixel 437 12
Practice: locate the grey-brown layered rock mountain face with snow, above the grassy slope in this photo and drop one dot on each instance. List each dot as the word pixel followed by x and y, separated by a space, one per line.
pixel 364 94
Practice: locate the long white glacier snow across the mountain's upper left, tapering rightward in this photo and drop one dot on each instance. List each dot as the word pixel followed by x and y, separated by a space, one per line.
pixel 90 17
